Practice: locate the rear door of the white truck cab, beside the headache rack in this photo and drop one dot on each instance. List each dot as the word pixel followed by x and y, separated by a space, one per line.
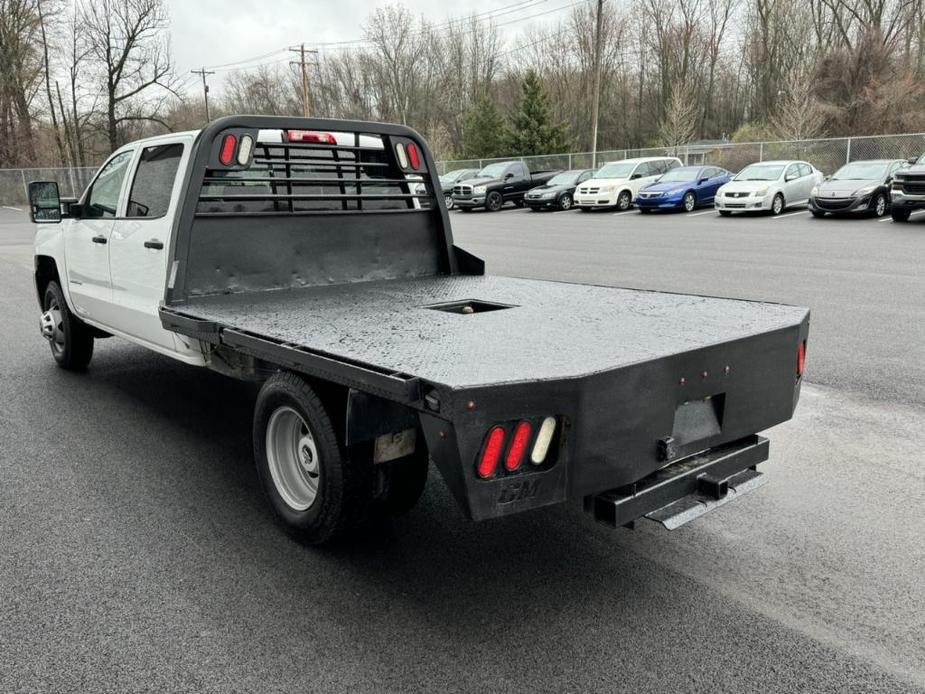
pixel 140 241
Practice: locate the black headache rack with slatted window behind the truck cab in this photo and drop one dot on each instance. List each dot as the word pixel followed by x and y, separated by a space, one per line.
pixel 274 203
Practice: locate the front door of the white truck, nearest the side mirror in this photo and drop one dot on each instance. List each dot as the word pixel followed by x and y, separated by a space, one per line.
pixel 86 241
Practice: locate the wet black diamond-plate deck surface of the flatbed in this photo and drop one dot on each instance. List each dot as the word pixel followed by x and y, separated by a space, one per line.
pixel 553 330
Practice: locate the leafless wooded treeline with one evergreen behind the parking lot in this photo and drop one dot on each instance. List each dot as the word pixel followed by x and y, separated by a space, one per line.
pixel 80 77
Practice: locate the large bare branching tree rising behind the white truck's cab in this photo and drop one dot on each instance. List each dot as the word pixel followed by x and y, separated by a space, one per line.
pixel 127 40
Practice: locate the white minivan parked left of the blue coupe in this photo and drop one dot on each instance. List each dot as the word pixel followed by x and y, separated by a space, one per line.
pixel 617 183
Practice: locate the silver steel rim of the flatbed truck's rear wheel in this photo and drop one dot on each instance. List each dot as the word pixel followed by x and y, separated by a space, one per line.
pixel 292 457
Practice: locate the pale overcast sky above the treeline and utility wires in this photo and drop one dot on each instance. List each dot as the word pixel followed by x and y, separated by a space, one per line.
pixel 217 32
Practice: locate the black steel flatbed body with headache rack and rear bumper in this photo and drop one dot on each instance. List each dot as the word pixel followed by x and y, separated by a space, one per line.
pixel 638 382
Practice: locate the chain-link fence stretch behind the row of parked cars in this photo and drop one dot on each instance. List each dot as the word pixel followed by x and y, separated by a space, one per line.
pixel 827 154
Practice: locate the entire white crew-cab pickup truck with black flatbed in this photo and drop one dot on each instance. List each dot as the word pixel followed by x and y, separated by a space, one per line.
pixel 296 253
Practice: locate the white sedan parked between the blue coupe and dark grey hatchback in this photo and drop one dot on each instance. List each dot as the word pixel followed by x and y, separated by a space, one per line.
pixel 770 186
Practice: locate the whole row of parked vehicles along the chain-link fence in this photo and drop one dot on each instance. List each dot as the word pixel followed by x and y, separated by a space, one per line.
pixel 875 186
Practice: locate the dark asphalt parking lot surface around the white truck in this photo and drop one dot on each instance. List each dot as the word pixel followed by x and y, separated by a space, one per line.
pixel 137 553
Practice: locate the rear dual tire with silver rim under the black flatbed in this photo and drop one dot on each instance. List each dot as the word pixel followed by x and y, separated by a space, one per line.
pixel 316 491
